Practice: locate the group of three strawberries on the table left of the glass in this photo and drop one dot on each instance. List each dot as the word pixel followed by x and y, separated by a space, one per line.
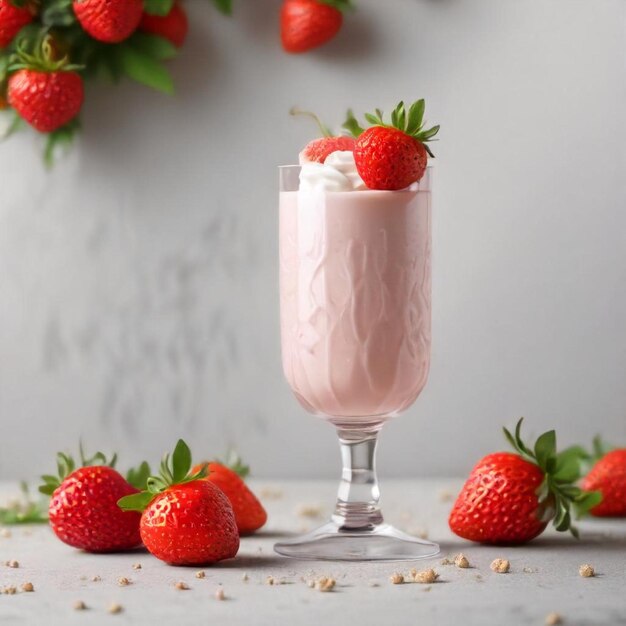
pixel 184 515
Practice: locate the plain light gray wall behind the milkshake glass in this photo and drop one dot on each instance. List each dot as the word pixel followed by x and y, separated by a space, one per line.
pixel 138 279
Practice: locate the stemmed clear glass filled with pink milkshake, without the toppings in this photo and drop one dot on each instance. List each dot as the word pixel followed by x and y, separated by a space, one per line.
pixel 355 296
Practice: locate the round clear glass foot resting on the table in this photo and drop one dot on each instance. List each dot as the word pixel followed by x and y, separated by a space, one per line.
pixel 381 542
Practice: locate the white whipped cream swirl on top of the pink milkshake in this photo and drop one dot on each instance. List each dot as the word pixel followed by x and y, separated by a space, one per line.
pixel 337 173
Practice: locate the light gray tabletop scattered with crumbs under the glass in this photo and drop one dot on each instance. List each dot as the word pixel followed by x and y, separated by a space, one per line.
pixel 543 578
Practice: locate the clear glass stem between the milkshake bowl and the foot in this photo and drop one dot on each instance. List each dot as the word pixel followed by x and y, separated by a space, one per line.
pixel 357 501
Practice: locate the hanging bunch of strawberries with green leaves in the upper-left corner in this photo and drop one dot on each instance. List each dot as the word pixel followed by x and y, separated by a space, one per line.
pixel 49 47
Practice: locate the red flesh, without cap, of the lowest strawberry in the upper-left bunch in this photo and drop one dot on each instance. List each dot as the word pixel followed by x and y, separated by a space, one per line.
pixel 47 100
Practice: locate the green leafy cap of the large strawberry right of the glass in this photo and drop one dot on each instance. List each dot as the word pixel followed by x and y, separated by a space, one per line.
pixel 557 493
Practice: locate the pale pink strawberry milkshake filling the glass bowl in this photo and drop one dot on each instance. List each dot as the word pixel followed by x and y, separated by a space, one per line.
pixel 355 286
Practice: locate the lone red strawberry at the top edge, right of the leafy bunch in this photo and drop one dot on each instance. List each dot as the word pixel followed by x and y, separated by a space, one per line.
pixel 307 24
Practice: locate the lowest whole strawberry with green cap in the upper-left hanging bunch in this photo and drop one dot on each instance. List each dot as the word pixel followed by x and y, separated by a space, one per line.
pixel 45 92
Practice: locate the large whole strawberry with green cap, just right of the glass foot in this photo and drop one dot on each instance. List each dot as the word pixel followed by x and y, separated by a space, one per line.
pixel 510 498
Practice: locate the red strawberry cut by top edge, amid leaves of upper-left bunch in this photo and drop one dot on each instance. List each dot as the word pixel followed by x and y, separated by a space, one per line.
pixel 110 21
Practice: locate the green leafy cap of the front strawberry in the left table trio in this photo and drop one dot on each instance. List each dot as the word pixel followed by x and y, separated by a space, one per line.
pixel 174 470
